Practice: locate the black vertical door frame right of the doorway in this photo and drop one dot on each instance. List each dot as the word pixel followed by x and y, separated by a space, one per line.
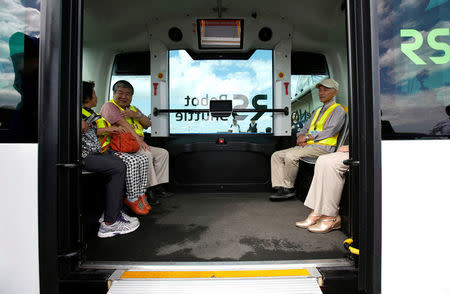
pixel 365 140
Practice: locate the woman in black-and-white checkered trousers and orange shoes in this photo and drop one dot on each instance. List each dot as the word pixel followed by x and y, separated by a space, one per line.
pixel 137 164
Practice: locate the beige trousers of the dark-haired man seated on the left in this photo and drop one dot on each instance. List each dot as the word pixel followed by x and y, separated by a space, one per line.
pixel 158 165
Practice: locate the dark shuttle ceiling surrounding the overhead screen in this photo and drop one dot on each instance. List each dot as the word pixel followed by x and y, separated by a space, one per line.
pixel 314 26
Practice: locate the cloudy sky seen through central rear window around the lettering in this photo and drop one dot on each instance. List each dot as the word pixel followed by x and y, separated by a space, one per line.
pixel 212 78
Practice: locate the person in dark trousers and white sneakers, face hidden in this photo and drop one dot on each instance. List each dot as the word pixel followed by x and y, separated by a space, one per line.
pixel 114 221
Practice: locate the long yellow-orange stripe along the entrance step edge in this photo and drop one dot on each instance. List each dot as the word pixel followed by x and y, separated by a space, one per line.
pixel 212 274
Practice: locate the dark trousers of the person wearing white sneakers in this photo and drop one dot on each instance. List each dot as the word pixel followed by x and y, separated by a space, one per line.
pixel 114 170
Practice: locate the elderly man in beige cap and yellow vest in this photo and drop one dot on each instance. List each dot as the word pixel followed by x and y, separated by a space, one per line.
pixel 317 137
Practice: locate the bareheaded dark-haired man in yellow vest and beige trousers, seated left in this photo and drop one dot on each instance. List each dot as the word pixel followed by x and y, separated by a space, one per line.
pixel 120 112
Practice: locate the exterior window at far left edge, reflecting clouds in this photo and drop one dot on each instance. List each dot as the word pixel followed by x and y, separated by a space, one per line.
pixel 19 68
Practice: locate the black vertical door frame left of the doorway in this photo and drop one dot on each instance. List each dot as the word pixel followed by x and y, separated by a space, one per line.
pixel 58 142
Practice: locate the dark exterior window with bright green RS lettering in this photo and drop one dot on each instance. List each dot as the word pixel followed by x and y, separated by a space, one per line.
pixel 414 56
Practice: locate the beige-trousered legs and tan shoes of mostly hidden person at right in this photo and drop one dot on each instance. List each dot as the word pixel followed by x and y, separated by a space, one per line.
pixel 325 192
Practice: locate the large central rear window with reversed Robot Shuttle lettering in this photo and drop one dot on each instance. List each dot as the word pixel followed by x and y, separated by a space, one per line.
pixel 193 83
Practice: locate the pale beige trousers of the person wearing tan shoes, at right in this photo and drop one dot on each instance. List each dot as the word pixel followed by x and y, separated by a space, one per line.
pixel 326 188
